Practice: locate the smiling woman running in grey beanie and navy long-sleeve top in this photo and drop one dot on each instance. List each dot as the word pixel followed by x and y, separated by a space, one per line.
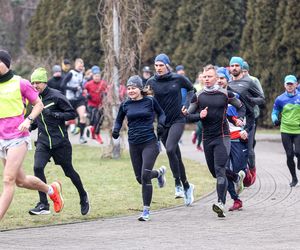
pixel 143 145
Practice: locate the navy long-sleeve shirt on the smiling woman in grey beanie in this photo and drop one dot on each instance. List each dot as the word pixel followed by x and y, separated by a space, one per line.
pixel 140 117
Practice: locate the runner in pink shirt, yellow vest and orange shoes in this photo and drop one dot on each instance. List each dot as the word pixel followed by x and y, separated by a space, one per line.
pixel 15 139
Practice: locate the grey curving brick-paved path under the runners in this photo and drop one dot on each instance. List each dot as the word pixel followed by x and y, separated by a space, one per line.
pixel 270 218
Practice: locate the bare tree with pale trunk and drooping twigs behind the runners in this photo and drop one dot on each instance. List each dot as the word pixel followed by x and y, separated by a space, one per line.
pixel 121 36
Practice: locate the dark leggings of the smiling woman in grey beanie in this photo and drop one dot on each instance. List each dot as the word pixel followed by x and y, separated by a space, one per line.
pixel 143 157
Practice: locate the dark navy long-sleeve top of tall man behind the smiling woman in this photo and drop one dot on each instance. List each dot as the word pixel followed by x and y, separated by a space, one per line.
pixel 167 91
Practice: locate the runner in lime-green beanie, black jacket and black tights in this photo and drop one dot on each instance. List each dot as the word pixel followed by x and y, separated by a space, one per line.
pixel 53 140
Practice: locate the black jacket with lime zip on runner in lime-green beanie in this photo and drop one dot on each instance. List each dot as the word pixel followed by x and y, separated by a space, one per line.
pixel 52 131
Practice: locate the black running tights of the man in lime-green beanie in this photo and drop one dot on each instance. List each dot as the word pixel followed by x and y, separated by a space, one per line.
pixel 62 156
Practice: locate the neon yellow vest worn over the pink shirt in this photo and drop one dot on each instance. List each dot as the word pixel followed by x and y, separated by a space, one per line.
pixel 11 103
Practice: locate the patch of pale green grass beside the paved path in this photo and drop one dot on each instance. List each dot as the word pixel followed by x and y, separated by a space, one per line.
pixel 112 188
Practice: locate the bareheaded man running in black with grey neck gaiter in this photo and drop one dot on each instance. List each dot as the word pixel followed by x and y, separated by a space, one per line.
pixel 212 104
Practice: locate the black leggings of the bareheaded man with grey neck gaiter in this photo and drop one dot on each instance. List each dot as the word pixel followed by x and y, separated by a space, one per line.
pixel 217 155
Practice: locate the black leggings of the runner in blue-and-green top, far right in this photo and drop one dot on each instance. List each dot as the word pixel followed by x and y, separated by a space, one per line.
pixel 291 144
